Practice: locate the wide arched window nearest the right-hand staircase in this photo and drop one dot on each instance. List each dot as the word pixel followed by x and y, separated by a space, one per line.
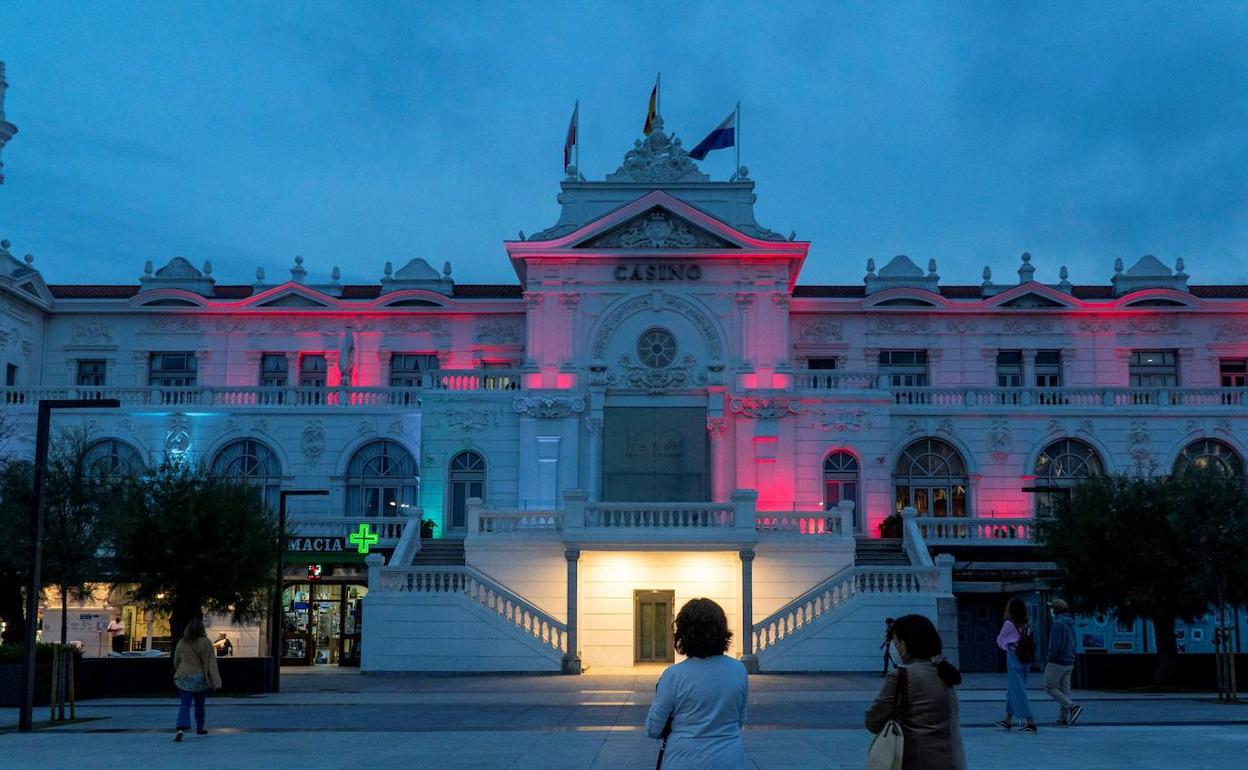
pixel 932 476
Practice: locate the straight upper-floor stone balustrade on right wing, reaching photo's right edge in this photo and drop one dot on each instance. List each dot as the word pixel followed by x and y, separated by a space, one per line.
pixel 1051 399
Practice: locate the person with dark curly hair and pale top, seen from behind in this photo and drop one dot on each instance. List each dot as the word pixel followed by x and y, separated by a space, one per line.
pixel 700 704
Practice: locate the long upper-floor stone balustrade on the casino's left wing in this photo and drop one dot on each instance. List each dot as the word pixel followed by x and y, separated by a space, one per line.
pixel 293 397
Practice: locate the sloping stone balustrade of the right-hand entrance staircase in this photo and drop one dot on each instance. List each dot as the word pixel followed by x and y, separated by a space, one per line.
pixel 834 593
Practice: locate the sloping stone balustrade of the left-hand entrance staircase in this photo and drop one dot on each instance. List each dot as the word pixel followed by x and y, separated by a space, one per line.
pixel 467 582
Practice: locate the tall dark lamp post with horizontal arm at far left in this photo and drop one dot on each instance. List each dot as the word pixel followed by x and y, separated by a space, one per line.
pixel 26 718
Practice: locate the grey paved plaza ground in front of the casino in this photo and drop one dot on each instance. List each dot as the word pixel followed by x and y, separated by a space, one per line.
pixel 328 719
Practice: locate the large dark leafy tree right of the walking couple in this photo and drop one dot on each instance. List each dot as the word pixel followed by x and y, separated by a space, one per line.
pixel 1120 547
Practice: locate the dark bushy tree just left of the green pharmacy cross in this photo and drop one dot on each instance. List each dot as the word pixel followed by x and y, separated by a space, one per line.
pixel 192 543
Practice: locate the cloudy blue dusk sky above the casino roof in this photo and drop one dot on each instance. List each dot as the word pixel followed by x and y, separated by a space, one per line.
pixel 354 134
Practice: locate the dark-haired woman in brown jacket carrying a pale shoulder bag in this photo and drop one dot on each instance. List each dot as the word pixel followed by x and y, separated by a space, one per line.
pixel 915 716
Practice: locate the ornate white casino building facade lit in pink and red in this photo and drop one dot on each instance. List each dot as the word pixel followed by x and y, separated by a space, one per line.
pixel 657 409
